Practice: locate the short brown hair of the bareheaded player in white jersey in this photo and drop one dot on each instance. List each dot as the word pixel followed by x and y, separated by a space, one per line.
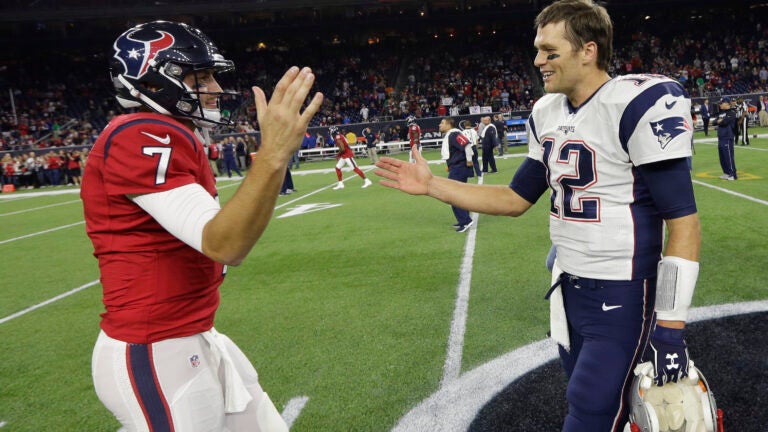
pixel 585 21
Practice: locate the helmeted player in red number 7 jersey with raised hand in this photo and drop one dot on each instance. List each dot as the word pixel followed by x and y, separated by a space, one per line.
pixel 163 241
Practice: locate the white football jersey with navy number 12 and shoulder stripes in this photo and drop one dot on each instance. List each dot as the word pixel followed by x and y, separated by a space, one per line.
pixel 602 218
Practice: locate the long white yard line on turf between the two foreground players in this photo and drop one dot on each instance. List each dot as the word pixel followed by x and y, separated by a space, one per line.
pixel 452 367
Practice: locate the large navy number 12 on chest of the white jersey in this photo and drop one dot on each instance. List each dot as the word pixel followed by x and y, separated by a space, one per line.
pixel 569 200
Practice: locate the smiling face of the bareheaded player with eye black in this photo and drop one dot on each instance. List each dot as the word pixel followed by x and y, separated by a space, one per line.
pixel 559 64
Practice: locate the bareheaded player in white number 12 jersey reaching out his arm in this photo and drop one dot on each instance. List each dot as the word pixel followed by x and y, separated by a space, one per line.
pixel 613 153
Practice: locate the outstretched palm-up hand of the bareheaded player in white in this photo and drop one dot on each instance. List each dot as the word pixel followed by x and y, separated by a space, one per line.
pixel 412 178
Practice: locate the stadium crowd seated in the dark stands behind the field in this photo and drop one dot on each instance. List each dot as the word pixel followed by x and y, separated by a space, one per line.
pixel 48 110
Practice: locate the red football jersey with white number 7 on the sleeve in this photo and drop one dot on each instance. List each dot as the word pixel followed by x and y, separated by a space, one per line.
pixel 155 286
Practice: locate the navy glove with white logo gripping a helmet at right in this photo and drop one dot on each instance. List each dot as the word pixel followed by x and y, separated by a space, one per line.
pixel 668 353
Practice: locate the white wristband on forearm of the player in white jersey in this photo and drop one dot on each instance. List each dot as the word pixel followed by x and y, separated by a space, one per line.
pixel 675 283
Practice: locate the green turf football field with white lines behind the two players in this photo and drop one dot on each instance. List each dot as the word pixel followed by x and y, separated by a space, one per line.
pixel 345 305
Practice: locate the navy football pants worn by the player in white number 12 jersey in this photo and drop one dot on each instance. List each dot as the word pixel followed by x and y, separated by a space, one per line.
pixel 609 324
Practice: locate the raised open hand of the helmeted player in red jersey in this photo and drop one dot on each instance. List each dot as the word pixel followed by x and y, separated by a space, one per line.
pixel 281 120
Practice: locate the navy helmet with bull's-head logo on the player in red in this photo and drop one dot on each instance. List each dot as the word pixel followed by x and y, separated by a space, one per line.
pixel 150 63
